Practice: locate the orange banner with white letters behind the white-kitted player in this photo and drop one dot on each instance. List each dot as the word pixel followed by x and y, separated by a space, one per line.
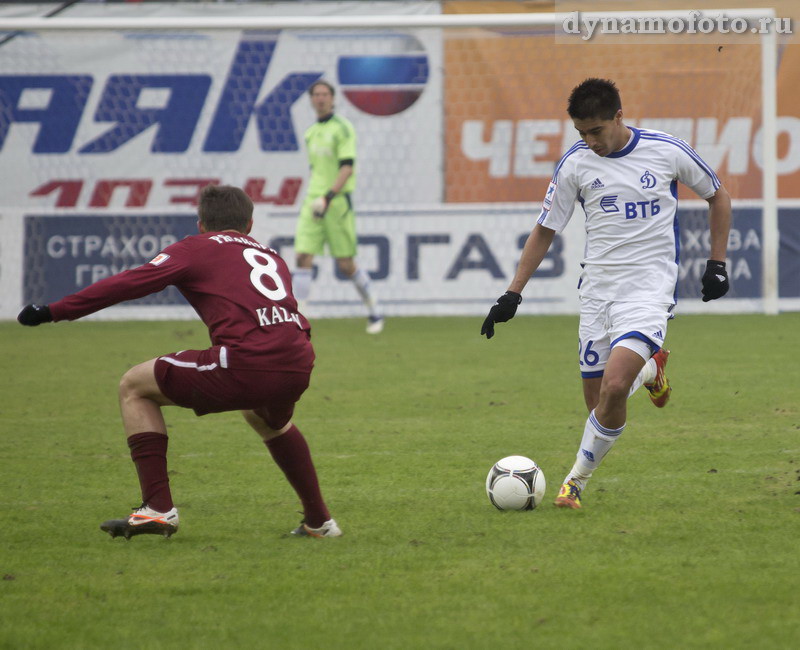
pixel 506 92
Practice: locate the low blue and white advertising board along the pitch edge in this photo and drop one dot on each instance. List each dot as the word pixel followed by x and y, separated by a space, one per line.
pixel 434 260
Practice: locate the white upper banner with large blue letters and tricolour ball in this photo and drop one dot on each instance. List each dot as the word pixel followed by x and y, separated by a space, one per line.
pixel 139 120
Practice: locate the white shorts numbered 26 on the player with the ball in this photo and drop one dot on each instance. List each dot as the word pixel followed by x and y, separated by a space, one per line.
pixel 604 323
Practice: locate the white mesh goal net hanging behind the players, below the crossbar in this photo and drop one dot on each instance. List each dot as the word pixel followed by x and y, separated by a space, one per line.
pixel 110 125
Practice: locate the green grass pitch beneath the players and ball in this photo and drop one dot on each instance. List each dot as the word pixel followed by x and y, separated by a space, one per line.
pixel 688 537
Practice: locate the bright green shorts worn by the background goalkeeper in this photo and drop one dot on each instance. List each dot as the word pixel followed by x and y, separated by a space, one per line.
pixel 337 228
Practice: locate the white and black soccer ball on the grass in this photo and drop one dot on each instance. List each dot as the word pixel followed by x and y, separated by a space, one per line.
pixel 515 483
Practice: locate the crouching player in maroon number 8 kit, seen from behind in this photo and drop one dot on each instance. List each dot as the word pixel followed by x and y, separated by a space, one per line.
pixel 260 360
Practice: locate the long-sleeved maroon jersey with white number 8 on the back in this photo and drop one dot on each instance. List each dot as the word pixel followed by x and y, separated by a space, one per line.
pixel 241 289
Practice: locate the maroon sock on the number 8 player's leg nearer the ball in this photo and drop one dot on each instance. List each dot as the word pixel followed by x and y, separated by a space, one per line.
pixel 290 452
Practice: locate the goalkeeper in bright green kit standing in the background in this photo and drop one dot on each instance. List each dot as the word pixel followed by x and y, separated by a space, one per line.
pixel 327 214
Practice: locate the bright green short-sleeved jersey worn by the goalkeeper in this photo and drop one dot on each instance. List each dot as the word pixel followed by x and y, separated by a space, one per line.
pixel 329 141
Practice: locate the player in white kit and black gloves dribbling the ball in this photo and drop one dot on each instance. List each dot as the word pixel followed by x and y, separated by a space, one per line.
pixel 626 181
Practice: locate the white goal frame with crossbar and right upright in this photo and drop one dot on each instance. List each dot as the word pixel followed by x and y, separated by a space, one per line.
pixel 250 23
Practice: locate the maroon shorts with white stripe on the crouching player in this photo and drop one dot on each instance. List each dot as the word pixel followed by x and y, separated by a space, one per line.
pixel 197 379
